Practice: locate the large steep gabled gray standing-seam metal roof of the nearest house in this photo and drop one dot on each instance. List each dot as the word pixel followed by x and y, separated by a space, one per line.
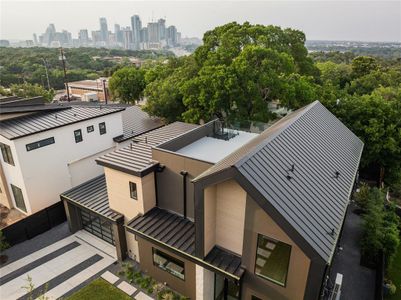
pixel 312 199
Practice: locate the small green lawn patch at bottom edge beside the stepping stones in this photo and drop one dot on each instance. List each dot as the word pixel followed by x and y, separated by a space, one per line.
pixel 99 289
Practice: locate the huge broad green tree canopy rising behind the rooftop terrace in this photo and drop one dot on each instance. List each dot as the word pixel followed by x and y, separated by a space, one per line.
pixel 237 71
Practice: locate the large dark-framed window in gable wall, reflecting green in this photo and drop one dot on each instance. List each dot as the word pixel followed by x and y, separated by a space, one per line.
pixel 272 260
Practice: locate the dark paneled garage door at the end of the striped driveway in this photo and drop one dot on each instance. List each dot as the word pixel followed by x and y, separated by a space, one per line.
pixel 97 226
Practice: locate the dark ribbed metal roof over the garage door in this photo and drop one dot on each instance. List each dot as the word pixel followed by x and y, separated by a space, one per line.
pixel 92 195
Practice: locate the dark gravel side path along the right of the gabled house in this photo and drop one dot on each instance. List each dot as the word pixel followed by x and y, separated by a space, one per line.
pixel 358 281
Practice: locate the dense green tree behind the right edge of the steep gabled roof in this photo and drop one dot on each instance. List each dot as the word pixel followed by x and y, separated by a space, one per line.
pixel 377 122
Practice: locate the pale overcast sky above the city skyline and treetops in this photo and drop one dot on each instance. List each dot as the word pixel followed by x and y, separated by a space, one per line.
pixel 320 20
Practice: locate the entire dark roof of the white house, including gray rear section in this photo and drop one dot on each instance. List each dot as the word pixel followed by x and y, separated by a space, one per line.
pixel 33 115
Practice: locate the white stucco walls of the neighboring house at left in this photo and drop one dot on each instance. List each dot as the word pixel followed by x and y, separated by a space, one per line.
pixel 46 172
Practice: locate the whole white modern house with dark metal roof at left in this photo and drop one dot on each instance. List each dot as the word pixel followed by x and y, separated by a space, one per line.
pixel 48 148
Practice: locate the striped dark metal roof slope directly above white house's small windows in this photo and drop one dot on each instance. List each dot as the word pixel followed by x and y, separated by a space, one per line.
pixel 30 124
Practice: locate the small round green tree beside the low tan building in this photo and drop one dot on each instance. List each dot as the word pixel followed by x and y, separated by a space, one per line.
pixel 127 84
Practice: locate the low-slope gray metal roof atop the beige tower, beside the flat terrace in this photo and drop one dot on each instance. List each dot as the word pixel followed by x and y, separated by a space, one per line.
pixel 137 157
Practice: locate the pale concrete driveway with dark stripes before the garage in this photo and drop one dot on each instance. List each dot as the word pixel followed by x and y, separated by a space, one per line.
pixel 59 267
